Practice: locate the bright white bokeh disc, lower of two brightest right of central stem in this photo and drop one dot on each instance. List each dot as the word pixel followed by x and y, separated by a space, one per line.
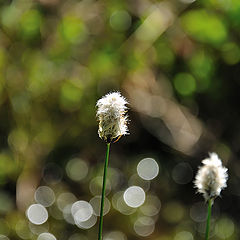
pixel 134 196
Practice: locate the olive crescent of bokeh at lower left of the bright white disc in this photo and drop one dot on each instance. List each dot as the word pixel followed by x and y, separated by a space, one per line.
pixel 120 205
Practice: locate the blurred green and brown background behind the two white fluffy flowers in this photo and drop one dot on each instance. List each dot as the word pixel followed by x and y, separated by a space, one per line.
pixel 176 61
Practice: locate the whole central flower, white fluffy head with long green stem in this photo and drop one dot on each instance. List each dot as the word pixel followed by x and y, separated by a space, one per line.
pixel 111 114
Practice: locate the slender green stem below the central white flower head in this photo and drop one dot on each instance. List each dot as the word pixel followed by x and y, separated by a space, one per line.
pixel 103 192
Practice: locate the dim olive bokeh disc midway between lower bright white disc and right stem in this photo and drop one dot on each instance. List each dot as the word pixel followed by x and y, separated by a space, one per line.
pixel 173 212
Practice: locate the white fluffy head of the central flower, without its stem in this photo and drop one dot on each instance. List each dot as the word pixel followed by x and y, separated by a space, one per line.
pixel 111 114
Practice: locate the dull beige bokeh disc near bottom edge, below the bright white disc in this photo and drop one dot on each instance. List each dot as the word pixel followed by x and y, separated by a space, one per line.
pixel 144 226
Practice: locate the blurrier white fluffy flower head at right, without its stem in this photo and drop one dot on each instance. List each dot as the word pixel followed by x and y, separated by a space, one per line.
pixel 211 178
